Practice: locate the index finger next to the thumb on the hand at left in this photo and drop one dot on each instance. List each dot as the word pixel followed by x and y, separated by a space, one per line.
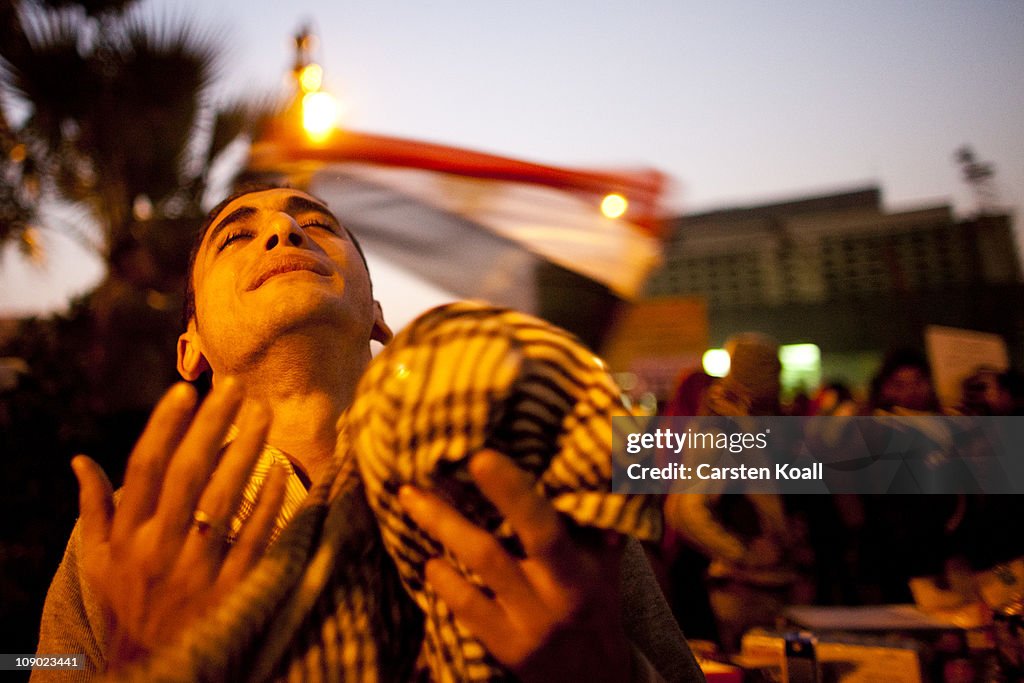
pixel 148 463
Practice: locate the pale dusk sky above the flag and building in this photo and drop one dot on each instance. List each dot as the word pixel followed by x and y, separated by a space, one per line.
pixel 739 103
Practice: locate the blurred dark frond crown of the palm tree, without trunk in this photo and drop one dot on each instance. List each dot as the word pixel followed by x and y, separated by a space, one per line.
pixel 119 118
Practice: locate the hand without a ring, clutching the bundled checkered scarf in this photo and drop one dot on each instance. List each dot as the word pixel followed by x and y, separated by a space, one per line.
pixel 556 614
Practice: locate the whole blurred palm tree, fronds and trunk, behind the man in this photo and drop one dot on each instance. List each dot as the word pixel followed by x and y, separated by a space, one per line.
pixel 114 116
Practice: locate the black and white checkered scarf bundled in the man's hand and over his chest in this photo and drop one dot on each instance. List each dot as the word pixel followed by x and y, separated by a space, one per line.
pixel 342 595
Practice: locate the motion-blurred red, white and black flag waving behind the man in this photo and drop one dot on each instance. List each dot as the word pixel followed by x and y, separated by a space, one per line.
pixel 481 226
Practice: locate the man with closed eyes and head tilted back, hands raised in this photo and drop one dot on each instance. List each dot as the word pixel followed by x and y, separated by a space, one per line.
pixel 280 315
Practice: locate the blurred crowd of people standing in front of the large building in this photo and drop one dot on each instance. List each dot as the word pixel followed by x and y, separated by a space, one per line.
pixel 731 563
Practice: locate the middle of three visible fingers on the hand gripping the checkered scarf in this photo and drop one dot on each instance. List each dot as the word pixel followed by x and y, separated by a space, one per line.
pixel 478 549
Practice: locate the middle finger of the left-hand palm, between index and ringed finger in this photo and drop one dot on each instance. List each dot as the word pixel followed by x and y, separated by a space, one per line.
pixel 196 459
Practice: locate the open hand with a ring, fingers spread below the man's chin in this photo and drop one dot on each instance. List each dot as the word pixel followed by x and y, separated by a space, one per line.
pixel 161 558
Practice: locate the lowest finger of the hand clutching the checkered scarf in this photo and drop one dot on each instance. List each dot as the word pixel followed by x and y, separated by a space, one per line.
pixel 483 617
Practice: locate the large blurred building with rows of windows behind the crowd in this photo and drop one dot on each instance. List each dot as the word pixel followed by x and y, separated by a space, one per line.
pixel 842 273
